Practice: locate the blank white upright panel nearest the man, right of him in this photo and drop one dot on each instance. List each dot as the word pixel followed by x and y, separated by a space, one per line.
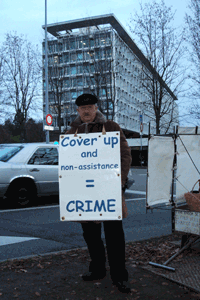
pixel 160 162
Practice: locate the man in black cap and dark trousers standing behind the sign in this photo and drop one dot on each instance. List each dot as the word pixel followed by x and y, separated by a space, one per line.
pixel 91 120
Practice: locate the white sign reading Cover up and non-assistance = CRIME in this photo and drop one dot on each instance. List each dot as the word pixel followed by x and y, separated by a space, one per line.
pixel 90 177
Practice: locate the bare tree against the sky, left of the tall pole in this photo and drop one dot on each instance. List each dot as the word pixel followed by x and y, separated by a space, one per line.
pixel 21 80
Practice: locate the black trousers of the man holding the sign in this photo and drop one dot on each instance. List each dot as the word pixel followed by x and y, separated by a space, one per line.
pixel 115 243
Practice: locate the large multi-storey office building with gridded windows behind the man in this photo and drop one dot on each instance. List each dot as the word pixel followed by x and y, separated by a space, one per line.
pixel 96 55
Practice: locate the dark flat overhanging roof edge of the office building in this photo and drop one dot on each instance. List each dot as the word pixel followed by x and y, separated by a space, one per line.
pixel 57 30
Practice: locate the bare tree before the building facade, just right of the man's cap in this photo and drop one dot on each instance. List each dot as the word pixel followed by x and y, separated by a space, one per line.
pixel 98 70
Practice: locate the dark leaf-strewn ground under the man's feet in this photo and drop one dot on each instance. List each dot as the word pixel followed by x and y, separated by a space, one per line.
pixel 58 276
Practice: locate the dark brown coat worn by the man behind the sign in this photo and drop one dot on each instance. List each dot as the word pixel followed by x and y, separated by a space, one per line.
pixel 97 126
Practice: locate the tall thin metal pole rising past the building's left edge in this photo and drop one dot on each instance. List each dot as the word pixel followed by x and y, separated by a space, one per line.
pixel 46 73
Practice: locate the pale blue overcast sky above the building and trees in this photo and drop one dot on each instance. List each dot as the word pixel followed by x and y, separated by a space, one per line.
pixel 27 16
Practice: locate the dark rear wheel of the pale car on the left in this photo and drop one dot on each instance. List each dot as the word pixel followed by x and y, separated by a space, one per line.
pixel 22 193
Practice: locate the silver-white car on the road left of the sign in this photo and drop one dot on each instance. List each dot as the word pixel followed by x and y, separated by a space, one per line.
pixel 27 171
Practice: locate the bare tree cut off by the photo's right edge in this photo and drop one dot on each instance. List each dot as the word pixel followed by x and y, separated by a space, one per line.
pixel 193 34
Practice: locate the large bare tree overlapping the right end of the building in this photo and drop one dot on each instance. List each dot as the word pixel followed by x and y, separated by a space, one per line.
pixel 153 31
